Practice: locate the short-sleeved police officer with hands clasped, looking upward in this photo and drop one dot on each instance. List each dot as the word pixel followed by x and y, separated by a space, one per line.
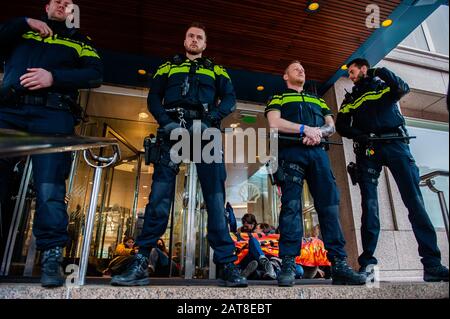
pixel 307 116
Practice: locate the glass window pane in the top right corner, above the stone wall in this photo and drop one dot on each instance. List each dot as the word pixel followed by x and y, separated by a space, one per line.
pixel 439 29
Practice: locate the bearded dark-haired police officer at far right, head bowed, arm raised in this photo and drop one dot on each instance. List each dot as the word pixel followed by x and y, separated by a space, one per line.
pixel 371 110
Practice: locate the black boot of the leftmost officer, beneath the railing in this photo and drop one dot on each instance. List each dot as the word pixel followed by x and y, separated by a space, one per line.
pixel 51 271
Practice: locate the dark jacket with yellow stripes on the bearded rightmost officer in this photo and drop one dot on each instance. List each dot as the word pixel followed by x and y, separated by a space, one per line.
pixel 372 106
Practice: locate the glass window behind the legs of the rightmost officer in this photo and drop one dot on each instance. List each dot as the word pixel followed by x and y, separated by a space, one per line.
pixel 431 152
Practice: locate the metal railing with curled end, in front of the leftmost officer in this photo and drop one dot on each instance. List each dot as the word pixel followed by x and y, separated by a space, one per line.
pixel 17 143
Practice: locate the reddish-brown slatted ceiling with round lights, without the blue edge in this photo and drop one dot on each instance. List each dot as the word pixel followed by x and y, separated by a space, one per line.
pixel 249 35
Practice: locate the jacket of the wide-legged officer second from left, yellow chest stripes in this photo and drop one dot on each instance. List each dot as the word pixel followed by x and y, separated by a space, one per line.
pixel 209 89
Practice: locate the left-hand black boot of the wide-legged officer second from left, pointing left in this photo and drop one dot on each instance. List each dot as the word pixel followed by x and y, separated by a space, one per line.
pixel 136 274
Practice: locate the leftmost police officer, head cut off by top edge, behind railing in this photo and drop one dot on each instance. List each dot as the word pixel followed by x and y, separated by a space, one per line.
pixel 45 64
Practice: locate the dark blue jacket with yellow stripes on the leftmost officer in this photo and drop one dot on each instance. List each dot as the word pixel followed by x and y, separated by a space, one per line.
pixel 68 55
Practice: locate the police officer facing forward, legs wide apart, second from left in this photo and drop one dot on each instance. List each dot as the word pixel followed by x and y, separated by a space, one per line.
pixel 192 84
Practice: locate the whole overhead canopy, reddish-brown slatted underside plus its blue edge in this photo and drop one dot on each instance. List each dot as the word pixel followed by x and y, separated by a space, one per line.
pixel 254 39
